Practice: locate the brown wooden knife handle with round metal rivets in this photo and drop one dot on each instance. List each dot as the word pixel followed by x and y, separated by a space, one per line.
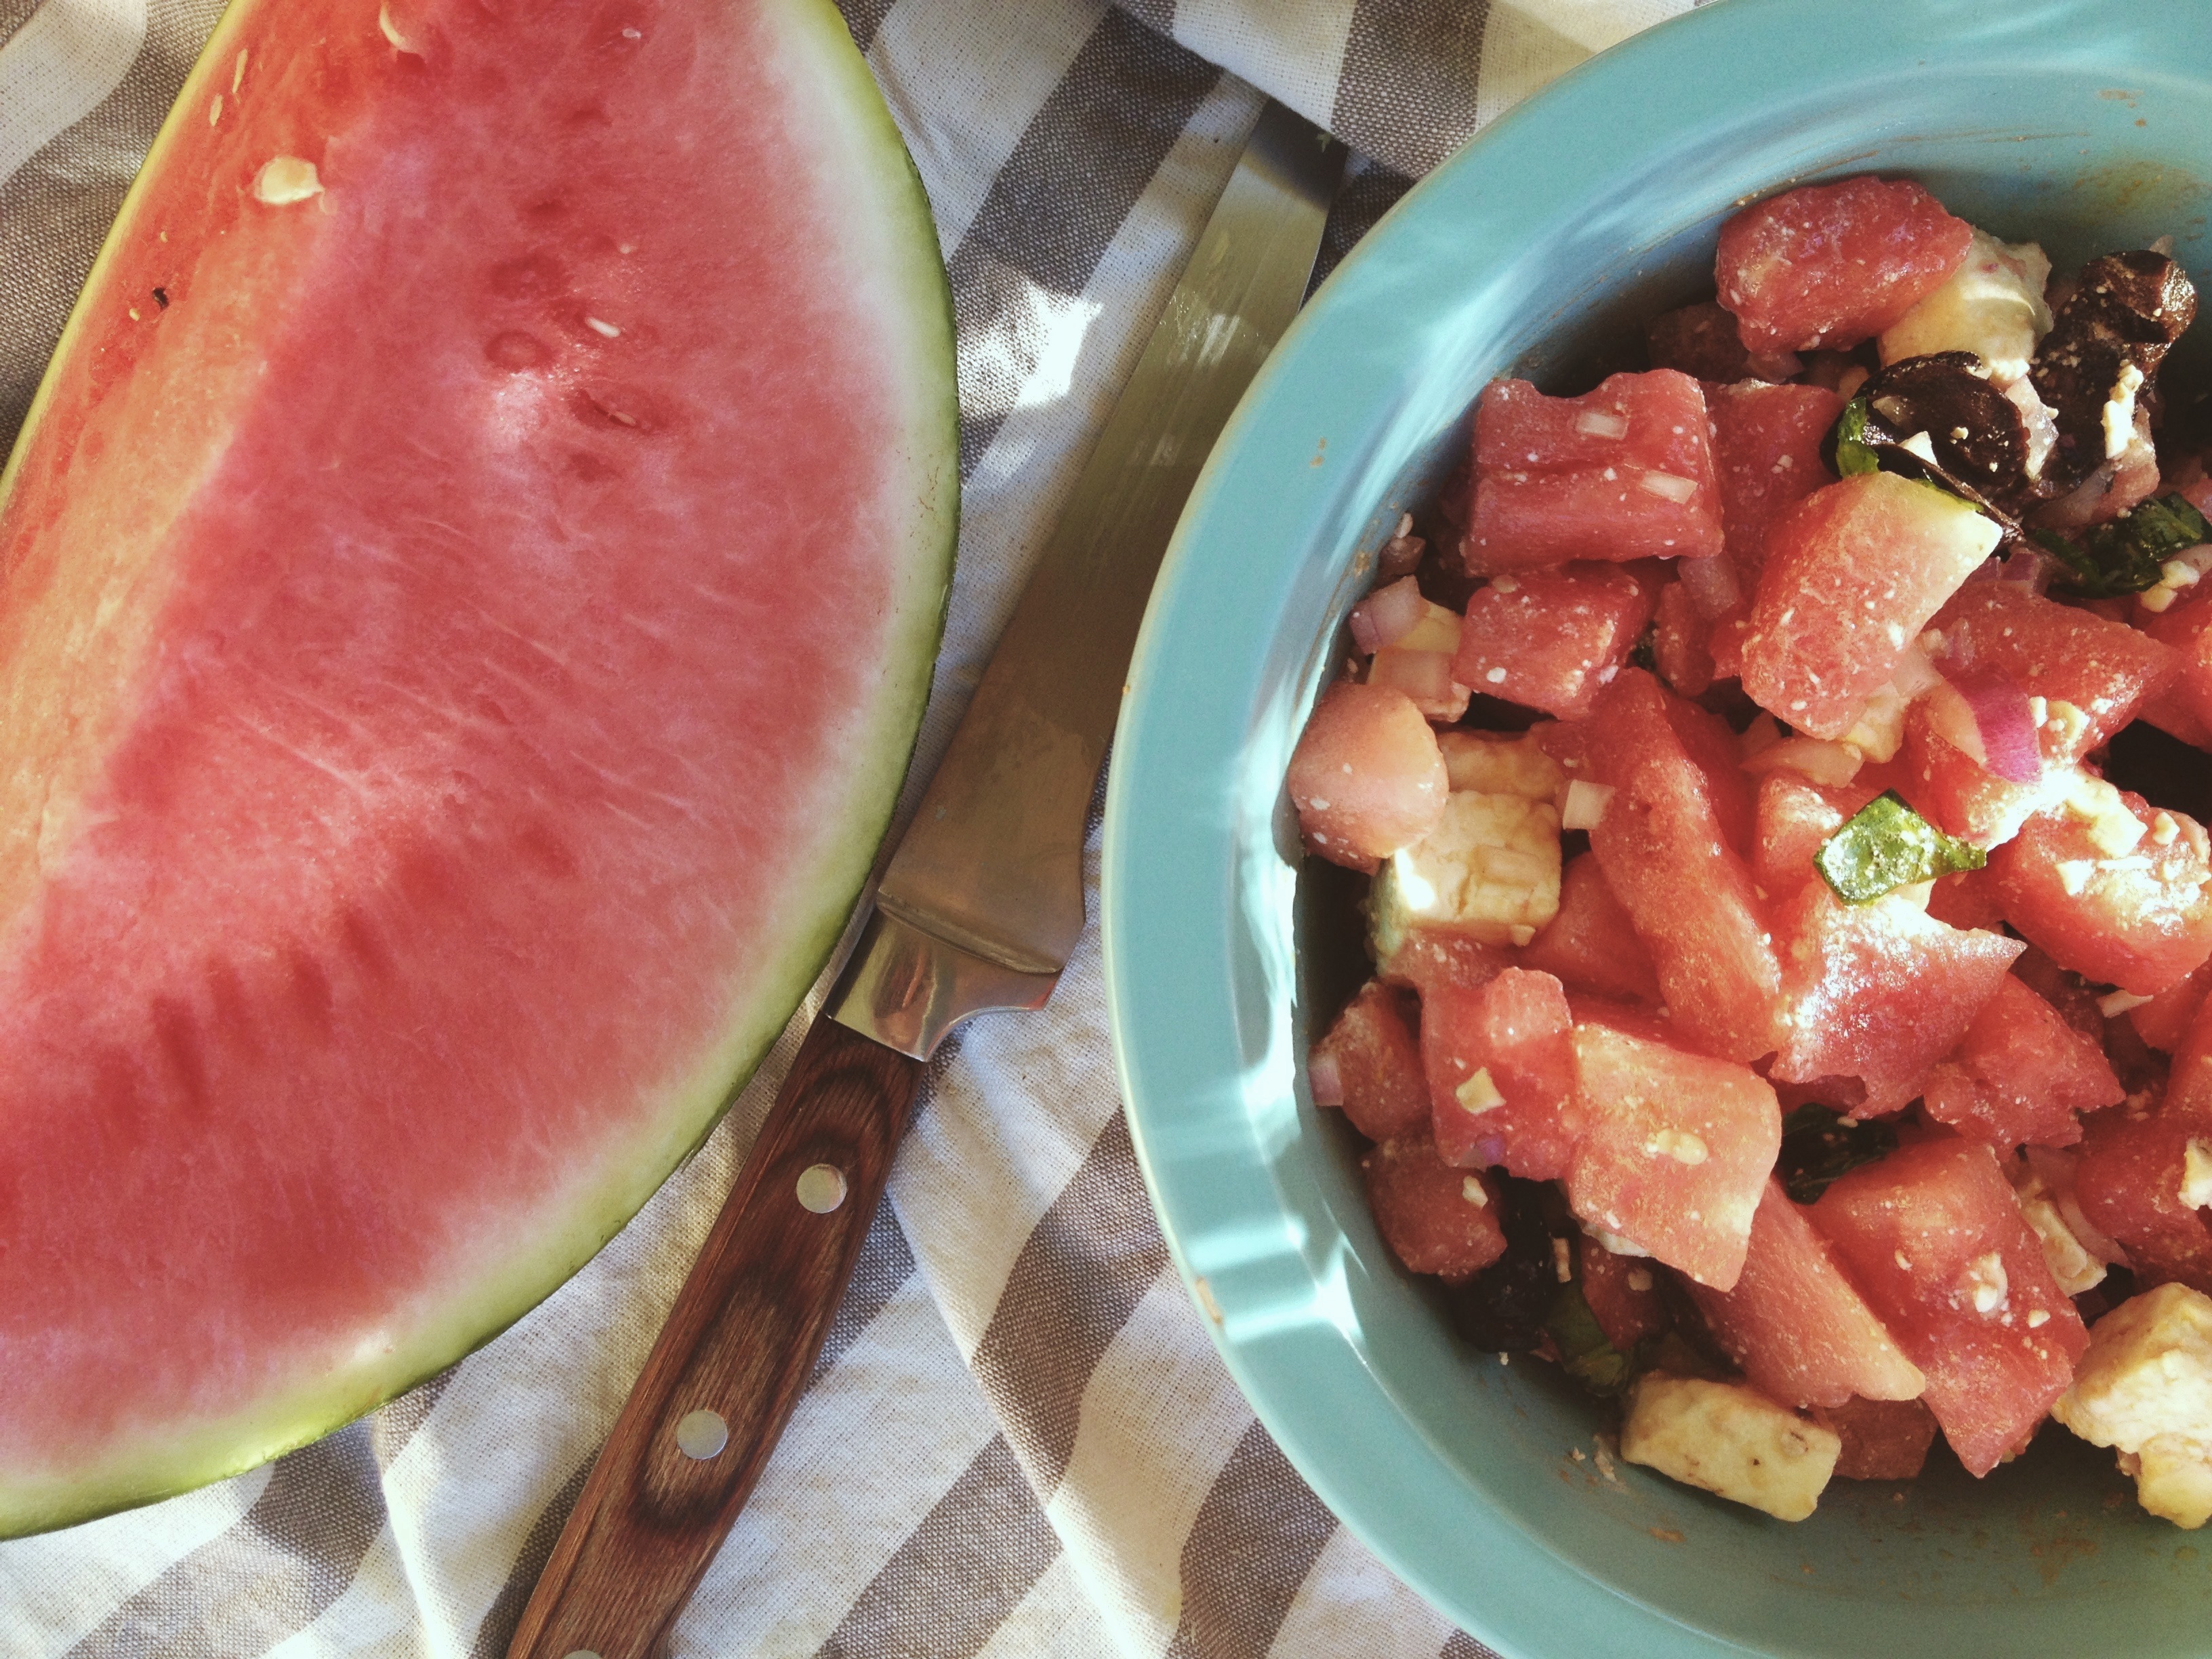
pixel 740 1344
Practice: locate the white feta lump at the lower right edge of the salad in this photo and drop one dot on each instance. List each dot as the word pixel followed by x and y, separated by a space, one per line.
pixel 2145 1386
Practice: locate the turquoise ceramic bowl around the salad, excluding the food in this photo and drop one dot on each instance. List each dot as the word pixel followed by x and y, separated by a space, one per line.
pixel 2085 125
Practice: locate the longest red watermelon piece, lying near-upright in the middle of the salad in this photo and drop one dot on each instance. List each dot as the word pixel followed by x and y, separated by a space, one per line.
pixel 1669 844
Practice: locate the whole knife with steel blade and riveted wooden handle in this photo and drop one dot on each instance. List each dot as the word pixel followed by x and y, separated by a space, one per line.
pixel 977 912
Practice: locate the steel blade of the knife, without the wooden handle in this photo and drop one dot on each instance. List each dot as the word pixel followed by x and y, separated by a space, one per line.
pixel 992 862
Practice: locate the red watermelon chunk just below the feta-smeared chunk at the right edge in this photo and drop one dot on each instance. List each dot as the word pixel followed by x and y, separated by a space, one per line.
pixel 2021 1076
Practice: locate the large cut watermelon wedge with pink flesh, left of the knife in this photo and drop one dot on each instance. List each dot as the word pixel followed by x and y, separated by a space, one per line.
pixel 470 587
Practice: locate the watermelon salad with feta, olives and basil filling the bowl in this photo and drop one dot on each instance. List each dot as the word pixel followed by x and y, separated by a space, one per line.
pixel 1777 778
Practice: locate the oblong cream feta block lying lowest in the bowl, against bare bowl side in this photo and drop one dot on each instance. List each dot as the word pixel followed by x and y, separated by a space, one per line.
pixel 1733 1441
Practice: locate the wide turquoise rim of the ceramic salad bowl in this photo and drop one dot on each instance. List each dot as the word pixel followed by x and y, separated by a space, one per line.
pixel 1167 844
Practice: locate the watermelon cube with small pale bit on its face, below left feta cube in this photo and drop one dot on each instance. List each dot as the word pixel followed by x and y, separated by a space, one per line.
pixel 1501 1067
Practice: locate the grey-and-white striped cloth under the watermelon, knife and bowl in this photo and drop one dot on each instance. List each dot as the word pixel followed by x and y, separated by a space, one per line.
pixel 1019 1441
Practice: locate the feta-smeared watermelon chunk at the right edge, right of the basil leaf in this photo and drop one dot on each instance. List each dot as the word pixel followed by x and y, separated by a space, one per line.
pixel 2111 888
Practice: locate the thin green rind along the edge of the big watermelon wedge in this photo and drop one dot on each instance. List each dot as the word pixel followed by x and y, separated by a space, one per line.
pixel 163 1459
